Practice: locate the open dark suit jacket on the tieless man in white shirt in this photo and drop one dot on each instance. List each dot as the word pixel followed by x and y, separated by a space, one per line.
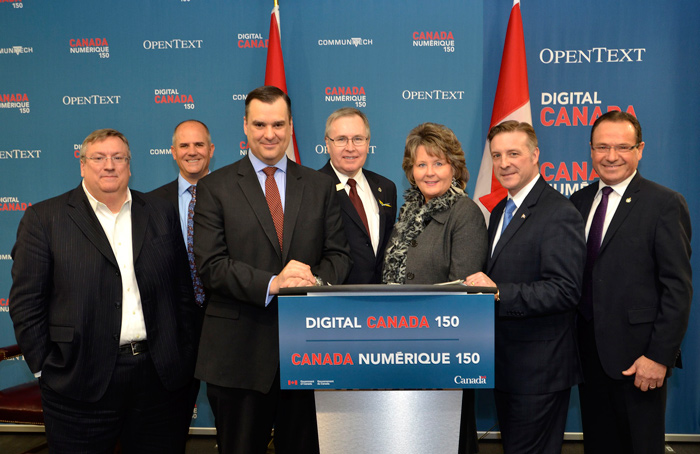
pixel 66 293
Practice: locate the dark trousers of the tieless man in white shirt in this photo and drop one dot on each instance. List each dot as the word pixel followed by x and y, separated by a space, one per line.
pixel 136 410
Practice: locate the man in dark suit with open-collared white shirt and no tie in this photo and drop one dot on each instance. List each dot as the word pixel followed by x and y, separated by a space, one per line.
pixel 102 305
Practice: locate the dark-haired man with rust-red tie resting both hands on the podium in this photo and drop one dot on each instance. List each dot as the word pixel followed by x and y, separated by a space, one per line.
pixel 261 224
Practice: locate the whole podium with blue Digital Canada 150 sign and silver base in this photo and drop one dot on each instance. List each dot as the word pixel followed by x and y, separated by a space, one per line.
pixel 388 363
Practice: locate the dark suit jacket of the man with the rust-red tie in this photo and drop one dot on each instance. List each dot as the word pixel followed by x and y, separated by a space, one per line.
pixel 237 254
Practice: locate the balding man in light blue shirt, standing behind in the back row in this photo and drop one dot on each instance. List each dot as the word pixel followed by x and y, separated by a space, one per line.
pixel 192 150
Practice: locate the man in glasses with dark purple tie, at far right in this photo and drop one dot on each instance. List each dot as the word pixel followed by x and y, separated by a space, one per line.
pixel 636 296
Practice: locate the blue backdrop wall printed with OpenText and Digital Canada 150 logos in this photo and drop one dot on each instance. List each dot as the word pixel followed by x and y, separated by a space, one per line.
pixel 143 66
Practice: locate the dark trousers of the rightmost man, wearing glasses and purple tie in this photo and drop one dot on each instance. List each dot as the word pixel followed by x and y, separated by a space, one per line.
pixel 617 417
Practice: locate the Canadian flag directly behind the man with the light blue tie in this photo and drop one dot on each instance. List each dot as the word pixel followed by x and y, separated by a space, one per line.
pixel 512 103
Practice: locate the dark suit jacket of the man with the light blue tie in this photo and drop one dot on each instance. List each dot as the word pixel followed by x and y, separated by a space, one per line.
pixel 538 267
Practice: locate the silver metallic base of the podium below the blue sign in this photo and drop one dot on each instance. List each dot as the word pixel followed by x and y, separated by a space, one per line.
pixel 376 422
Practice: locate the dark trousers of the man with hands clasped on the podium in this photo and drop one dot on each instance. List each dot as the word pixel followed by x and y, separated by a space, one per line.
pixel 244 420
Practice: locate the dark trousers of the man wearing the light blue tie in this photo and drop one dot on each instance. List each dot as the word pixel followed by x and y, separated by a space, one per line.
pixel 532 423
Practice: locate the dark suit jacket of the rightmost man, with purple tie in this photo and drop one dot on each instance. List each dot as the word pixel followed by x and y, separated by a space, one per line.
pixel 642 282
